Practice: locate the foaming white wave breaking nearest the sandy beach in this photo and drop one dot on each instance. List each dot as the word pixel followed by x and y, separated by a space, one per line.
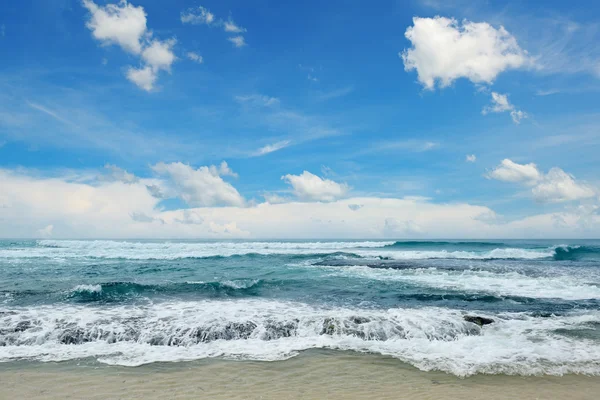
pixel 428 338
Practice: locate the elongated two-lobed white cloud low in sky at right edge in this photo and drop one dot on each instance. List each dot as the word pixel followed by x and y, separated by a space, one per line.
pixel 552 187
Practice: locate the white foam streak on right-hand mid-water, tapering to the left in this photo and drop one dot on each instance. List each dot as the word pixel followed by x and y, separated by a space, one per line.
pixel 478 281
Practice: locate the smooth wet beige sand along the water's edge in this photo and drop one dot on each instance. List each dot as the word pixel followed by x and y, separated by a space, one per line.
pixel 312 375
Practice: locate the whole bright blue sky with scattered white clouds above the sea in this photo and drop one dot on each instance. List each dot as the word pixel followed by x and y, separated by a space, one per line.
pixel 268 119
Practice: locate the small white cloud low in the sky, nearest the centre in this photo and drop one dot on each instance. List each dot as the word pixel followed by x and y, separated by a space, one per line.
pixel 308 186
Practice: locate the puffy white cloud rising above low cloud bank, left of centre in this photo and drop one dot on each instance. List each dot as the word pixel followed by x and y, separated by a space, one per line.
pixel 200 187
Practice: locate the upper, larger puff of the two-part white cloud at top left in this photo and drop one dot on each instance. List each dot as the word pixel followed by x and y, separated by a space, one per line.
pixel 122 24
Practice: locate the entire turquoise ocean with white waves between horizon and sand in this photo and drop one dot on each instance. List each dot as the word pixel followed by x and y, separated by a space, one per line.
pixel 135 302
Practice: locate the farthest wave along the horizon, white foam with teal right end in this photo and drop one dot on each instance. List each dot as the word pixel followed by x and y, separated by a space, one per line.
pixel 405 250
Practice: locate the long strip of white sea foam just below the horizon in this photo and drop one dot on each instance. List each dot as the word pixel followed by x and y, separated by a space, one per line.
pixel 110 249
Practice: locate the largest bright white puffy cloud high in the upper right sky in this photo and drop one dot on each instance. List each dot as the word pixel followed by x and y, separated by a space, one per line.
pixel 444 50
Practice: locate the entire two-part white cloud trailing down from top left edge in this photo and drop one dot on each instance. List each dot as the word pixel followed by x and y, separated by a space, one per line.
pixel 125 25
